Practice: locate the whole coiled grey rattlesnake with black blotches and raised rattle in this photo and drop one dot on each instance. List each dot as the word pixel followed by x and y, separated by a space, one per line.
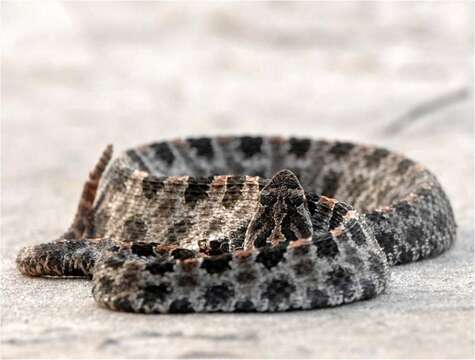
pixel 247 223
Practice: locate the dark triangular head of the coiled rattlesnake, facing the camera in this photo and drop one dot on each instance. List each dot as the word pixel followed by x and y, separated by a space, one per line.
pixel 282 214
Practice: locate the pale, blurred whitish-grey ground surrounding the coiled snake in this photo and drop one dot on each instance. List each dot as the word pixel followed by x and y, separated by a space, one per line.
pixel 76 76
